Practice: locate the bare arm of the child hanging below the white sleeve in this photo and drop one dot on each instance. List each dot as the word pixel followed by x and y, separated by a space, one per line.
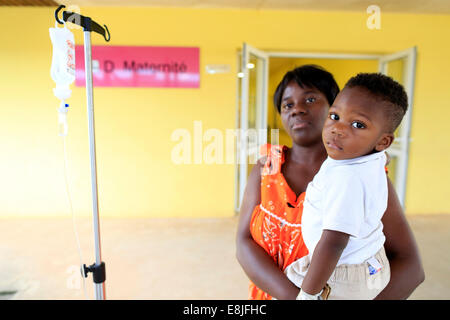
pixel 324 260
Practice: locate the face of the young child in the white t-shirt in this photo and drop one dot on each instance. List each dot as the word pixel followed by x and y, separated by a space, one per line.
pixel 354 128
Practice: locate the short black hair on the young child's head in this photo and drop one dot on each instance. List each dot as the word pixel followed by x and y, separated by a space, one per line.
pixel 389 90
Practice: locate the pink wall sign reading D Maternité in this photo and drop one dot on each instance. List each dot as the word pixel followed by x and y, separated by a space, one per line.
pixel 128 66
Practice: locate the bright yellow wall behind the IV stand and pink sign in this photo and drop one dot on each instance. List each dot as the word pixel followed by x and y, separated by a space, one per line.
pixel 134 125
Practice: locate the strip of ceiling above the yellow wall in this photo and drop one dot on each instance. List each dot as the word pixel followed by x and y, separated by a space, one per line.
pixel 412 6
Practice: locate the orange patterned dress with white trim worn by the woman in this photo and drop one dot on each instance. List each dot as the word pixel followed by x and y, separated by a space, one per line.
pixel 275 223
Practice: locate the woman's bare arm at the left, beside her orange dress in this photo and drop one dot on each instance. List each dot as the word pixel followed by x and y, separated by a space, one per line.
pixel 256 262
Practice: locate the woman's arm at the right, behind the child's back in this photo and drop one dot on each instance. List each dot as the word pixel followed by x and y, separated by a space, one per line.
pixel 401 249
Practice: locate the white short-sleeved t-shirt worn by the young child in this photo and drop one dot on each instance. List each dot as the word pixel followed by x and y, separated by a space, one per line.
pixel 349 196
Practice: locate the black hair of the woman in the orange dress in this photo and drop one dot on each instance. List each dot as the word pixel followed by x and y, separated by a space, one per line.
pixel 308 75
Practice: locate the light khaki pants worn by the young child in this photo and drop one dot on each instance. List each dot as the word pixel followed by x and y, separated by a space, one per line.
pixel 348 282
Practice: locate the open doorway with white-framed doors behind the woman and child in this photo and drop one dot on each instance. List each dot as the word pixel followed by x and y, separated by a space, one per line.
pixel 260 73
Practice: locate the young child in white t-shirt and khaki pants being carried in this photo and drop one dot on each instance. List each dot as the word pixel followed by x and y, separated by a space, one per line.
pixel 344 203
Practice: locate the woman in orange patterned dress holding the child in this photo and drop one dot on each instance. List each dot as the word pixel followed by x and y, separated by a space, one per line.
pixel 269 236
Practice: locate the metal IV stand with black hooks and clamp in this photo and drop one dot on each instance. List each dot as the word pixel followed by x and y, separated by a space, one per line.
pixel 98 268
